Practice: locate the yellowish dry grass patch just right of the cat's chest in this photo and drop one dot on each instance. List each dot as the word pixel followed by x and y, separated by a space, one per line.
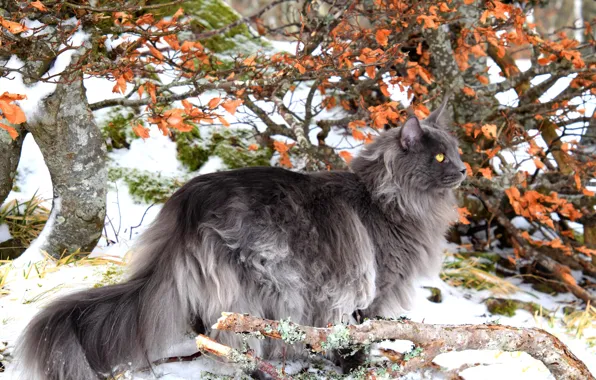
pixel 472 272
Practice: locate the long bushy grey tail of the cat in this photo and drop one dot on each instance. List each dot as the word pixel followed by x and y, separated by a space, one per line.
pixel 87 334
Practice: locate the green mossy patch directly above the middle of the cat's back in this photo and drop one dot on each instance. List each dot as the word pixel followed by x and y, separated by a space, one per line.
pixel 231 145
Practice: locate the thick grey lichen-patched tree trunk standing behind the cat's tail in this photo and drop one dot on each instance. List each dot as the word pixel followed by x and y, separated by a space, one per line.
pixel 74 152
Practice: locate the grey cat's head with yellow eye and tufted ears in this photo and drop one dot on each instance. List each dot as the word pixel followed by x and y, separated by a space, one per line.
pixel 421 155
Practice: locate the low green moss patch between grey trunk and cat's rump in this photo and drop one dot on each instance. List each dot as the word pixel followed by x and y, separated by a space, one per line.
pixel 145 186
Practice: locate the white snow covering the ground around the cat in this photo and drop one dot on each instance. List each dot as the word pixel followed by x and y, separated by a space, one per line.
pixel 30 289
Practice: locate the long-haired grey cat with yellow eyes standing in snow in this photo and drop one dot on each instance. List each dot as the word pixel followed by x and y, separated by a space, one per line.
pixel 269 242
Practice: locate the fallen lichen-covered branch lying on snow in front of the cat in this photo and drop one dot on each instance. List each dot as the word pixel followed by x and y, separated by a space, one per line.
pixel 433 339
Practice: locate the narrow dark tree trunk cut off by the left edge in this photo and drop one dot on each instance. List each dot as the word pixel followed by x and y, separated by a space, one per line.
pixel 10 151
